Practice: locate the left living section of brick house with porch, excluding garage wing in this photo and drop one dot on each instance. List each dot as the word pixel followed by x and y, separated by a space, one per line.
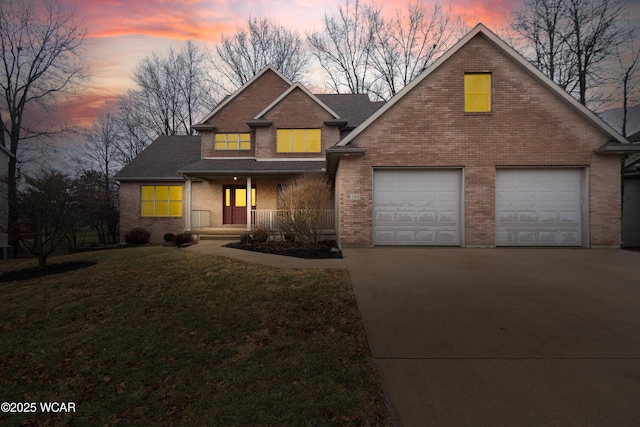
pixel 249 146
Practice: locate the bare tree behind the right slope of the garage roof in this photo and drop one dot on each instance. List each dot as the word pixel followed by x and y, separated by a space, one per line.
pixel 572 41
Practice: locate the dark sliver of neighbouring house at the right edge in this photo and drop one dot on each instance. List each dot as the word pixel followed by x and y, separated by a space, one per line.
pixel 631 199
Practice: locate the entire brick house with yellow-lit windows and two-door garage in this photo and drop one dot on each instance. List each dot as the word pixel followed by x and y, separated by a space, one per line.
pixel 480 150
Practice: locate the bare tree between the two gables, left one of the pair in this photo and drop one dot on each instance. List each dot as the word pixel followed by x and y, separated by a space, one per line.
pixel 345 47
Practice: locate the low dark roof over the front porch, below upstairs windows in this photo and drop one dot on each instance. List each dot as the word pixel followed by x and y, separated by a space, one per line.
pixel 210 167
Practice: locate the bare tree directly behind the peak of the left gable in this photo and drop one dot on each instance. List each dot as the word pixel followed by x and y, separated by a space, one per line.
pixel 243 54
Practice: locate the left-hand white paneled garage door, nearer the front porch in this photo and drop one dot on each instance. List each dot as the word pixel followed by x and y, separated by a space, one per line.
pixel 416 207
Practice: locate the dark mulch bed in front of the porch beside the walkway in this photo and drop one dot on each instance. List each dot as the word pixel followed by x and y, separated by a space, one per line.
pixel 320 250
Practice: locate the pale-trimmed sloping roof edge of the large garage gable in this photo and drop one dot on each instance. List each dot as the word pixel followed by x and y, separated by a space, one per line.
pixel 481 29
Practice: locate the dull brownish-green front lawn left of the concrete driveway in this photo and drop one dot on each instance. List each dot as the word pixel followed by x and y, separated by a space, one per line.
pixel 163 336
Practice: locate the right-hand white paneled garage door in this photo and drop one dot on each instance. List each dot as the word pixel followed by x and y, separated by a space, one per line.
pixel 539 207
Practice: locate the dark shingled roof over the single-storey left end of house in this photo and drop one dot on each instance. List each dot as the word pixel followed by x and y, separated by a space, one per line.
pixel 161 160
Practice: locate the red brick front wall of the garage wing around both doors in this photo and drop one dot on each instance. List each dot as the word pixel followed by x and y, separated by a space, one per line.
pixel 529 126
